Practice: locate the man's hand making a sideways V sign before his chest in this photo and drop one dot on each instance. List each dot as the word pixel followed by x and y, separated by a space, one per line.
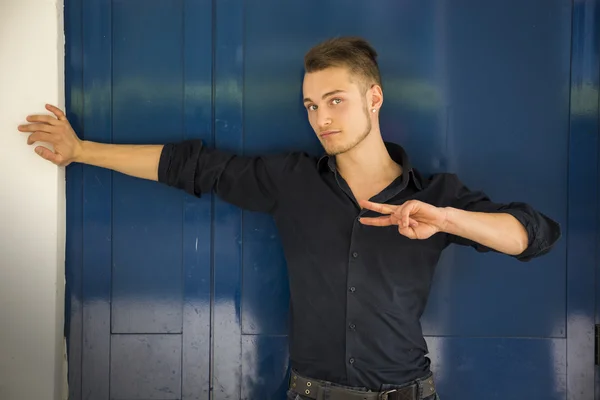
pixel 415 219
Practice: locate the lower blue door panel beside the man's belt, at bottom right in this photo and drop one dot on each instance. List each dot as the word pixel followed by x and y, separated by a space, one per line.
pixel 500 368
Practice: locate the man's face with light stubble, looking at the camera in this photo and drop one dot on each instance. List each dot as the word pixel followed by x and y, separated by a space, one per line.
pixel 337 109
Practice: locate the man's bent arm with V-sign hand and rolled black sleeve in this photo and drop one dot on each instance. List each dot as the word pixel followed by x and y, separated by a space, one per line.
pixel 471 218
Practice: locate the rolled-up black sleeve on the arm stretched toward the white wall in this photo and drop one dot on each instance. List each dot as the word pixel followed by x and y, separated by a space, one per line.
pixel 251 183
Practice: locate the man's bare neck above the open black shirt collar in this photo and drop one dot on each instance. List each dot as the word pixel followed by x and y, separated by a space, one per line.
pixel 369 161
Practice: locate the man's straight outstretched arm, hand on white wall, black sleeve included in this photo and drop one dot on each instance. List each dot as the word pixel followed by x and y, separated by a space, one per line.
pixel 252 183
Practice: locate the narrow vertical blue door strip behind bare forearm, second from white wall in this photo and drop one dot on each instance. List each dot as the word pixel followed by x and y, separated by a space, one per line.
pixel 97 204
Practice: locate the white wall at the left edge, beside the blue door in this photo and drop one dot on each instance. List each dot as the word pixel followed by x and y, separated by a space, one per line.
pixel 32 206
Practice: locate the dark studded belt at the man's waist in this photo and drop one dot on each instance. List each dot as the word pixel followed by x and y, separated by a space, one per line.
pixel 313 389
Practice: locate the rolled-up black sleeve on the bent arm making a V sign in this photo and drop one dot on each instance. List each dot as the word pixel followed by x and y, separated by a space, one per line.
pixel 542 231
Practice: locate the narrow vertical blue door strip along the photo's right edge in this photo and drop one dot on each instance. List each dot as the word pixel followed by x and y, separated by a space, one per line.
pixel 584 177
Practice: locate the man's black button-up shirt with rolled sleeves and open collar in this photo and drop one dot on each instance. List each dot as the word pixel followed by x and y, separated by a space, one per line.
pixel 357 292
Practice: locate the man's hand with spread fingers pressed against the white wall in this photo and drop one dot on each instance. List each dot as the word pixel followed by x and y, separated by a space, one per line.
pixel 58 132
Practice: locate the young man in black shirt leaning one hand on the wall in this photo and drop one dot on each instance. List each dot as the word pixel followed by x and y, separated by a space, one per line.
pixel 362 230
